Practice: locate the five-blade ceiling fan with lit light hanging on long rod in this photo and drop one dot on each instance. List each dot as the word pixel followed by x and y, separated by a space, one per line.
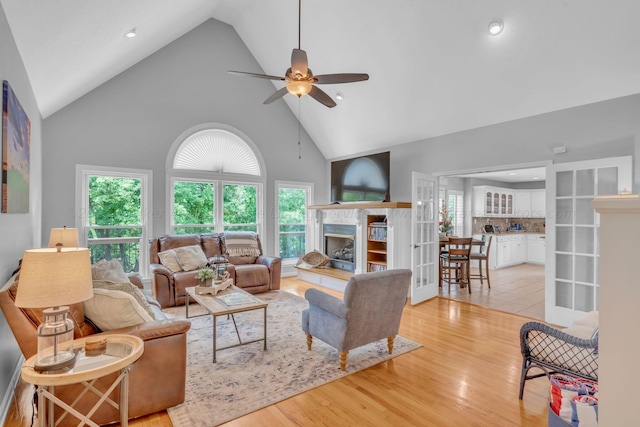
pixel 301 81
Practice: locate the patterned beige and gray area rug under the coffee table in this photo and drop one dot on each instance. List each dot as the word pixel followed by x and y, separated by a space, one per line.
pixel 247 378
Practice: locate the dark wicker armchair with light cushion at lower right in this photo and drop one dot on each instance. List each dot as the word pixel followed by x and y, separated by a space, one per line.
pixel 557 351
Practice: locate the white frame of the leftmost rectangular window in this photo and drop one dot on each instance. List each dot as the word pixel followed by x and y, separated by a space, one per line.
pixel 83 172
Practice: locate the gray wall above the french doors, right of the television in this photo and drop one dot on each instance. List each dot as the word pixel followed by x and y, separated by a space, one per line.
pixel 604 129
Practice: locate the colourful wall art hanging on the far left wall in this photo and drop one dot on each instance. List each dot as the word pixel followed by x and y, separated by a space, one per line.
pixel 16 150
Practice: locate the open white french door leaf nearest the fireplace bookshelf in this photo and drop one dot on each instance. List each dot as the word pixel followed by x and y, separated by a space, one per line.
pixel 424 237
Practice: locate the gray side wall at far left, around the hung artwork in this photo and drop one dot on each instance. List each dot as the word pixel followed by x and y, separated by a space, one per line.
pixel 18 231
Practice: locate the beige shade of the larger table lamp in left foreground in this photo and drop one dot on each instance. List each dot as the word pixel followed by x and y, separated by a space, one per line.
pixel 51 278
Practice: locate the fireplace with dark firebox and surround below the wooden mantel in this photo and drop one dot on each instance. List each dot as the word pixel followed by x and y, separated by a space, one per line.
pixel 339 245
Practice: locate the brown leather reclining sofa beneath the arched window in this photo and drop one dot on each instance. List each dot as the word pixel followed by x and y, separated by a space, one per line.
pixel 253 275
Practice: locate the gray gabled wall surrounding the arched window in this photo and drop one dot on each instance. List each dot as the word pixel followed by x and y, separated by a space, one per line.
pixel 132 120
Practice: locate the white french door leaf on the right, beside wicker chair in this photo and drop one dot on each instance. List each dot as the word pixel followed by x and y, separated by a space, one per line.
pixel 572 254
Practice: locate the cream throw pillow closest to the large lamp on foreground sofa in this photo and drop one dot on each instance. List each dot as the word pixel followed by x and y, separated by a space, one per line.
pixel 110 310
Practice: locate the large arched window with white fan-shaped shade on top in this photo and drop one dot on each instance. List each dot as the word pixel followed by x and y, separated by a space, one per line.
pixel 216 179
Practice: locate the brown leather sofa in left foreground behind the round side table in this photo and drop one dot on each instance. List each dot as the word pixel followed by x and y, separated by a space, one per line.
pixel 156 380
